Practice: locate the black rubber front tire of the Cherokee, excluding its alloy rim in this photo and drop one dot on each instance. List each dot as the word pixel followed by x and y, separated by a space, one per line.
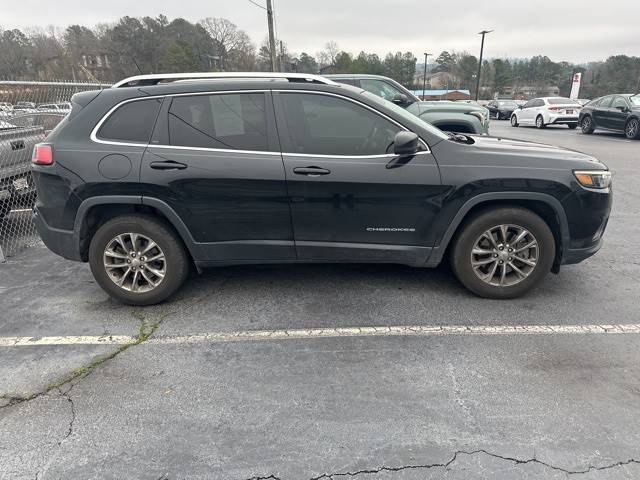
pixel 473 229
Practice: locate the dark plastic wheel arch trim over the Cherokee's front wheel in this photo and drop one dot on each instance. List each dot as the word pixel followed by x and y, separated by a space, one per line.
pixel 546 206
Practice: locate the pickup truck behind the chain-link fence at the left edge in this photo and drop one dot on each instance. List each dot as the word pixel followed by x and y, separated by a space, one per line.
pixel 16 184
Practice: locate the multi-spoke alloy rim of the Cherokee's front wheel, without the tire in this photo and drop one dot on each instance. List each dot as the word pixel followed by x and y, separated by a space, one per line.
pixel 504 255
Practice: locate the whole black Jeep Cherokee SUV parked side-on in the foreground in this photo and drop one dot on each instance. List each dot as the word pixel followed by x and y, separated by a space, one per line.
pixel 152 176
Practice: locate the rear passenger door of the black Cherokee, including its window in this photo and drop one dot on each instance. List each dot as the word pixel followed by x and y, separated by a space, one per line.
pixel 214 159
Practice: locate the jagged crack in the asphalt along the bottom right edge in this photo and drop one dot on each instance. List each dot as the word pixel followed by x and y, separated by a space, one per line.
pixel 518 461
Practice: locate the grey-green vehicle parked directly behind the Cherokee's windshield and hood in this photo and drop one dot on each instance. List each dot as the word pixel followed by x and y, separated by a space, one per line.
pixel 446 115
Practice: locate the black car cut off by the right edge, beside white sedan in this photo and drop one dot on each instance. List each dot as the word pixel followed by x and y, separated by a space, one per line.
pixel 617 113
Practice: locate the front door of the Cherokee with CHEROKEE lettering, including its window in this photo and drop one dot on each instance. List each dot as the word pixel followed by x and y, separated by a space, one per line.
pixel 346 201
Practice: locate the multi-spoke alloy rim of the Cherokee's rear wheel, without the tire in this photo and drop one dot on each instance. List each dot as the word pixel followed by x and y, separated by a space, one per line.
pixel 134 262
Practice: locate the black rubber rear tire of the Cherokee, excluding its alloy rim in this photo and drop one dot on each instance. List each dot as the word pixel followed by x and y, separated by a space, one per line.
pixel 177 261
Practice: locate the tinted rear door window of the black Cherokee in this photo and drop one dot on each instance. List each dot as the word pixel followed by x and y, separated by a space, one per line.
pixel 234 121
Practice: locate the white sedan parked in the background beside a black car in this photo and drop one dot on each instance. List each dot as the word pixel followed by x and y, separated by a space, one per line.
pixel 541 112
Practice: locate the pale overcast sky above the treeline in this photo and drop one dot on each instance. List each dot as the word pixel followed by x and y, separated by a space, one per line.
pixel 569 30
